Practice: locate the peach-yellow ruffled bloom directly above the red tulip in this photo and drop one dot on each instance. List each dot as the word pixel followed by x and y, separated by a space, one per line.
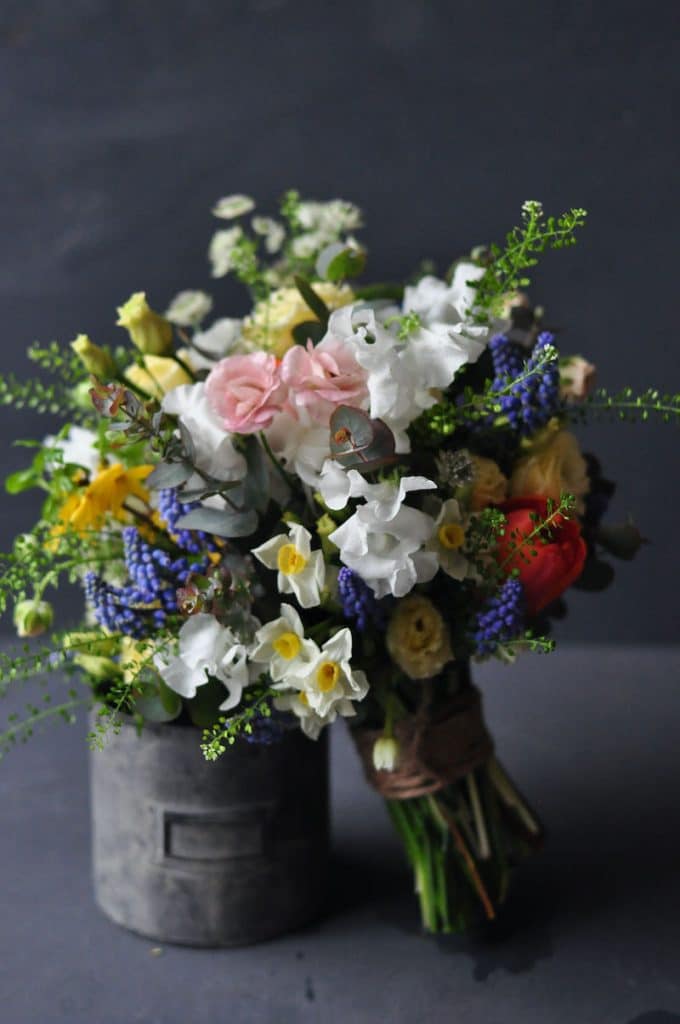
pixel 552 466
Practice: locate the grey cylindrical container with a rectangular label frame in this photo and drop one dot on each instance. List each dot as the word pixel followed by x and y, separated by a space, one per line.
pixel 209 855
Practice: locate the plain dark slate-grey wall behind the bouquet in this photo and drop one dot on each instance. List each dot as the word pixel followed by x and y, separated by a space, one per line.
pixel 124 121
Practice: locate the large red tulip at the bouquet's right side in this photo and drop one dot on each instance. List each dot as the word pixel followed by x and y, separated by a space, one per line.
pixel 551 562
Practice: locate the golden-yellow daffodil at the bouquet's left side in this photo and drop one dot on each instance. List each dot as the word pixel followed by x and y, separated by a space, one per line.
pixel 107 494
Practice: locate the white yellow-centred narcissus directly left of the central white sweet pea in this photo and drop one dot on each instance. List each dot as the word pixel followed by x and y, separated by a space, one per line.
pixel 302 571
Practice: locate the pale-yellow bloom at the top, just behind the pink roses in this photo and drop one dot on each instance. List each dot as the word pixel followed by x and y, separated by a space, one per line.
pixel 273 321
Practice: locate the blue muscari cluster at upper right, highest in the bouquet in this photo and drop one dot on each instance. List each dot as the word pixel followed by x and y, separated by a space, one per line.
pixel 535 400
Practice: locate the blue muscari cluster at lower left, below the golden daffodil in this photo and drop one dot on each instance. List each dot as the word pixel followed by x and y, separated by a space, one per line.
pixel 154 578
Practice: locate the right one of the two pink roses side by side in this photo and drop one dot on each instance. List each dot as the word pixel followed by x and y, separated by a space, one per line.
pixel 319 379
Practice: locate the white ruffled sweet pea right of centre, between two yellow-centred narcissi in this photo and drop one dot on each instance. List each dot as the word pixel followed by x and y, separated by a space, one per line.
pixel 384 541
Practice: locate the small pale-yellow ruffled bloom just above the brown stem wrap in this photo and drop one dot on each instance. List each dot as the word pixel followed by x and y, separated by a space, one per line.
pixel 418 639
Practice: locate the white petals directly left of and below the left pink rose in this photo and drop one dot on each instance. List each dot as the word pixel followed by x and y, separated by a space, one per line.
pixel 216 454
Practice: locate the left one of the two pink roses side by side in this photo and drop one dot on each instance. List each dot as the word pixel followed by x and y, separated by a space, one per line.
pixel 246 392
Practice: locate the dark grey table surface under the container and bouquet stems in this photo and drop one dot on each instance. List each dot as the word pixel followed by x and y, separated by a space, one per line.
pixel 592 934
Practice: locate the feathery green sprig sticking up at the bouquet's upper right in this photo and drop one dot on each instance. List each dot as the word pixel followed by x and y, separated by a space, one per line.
pixel 507 267
